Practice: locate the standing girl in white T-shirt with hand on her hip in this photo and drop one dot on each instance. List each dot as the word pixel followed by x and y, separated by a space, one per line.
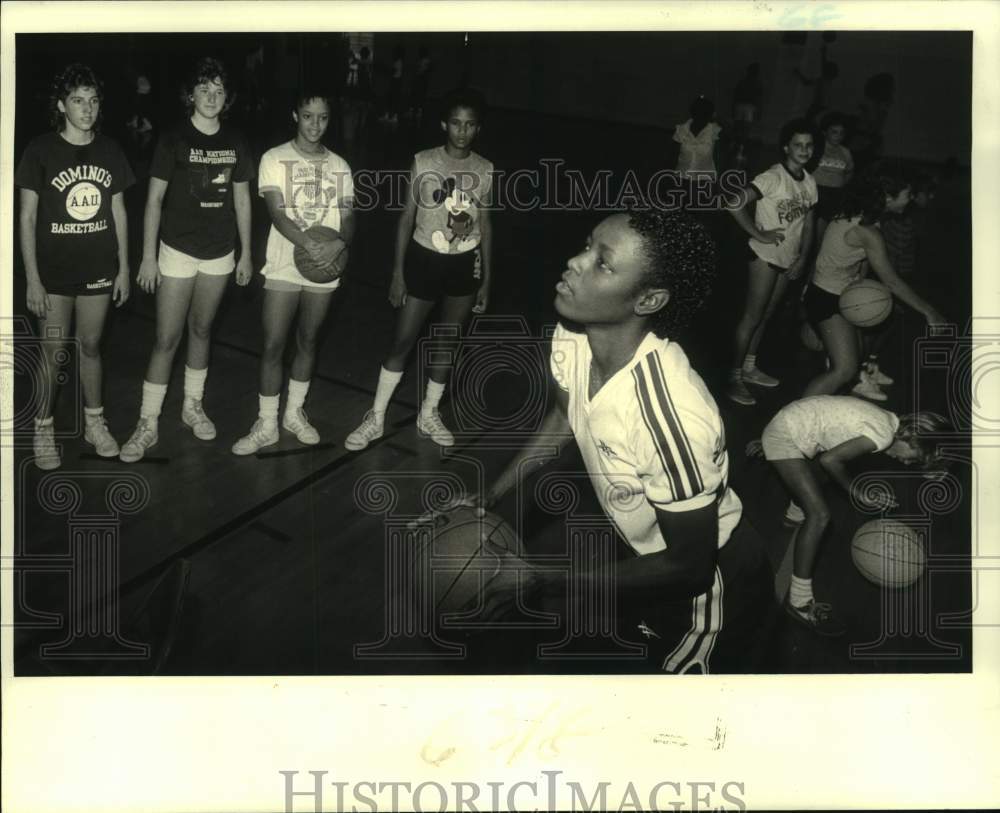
pixel 780 239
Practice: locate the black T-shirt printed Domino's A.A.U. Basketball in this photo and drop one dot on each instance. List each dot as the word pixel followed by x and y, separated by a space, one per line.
pixel 75 232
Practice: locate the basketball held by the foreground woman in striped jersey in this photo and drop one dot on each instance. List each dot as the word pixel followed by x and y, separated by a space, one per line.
pixel 459 551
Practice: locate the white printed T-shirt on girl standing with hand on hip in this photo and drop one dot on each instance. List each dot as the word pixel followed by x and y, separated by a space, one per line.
pixel 784 203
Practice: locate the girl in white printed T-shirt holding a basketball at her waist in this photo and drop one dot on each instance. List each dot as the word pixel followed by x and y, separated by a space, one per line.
pixel 304 184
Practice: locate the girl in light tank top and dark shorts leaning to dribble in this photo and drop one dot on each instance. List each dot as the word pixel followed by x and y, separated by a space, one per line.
pixel 853 243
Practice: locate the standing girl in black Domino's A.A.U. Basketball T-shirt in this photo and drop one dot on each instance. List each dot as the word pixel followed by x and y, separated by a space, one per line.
pixel 74 242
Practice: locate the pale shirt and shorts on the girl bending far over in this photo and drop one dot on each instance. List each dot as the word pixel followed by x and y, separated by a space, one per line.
pixel 822 422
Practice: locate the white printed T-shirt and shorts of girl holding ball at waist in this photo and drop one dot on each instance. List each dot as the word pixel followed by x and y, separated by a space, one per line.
pixel 312 189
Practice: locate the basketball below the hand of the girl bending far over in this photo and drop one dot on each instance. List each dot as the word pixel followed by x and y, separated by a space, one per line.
pixel 888 553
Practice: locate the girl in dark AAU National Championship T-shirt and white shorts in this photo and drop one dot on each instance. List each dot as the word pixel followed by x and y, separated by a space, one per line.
pixel 198 200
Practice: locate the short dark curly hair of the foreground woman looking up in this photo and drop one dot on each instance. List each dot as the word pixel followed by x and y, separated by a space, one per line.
pixel 682 259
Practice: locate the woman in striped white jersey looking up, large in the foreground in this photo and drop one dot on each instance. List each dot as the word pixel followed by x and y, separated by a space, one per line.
pixel 653 443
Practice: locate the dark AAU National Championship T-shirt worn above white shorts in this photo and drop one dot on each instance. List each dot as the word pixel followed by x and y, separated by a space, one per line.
pixel 198 214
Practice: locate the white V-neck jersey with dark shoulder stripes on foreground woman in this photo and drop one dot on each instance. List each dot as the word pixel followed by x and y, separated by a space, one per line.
pixel 651 437
